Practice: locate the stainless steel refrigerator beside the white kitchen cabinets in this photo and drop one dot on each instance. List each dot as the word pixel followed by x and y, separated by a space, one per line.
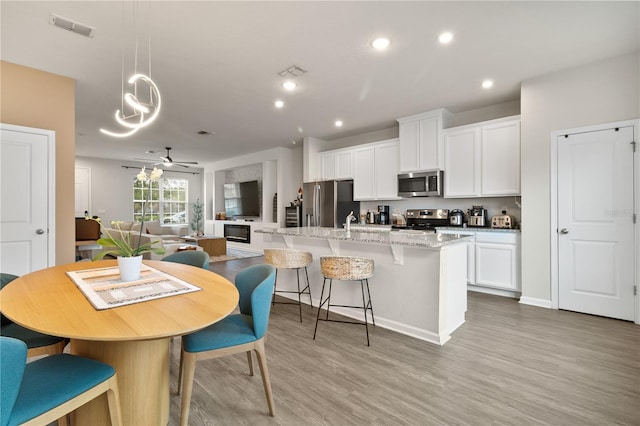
pixel 328 203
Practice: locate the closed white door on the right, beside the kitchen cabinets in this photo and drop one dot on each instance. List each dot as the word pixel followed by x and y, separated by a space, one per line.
pixel 595 223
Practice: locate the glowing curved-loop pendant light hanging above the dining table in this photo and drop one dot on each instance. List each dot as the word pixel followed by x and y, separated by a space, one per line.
pixel 138 108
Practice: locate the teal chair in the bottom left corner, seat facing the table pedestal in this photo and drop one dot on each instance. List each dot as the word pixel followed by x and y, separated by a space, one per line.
pixel 47 389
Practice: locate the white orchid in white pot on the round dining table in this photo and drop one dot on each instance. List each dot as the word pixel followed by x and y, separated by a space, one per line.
pixel 129 255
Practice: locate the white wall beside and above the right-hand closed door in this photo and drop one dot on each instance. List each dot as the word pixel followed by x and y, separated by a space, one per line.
pixel 602 92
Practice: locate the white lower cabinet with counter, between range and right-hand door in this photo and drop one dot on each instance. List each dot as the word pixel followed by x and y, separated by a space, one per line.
pixel 493 258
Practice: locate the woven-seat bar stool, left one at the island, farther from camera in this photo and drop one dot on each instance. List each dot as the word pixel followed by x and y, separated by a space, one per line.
pixel 290 259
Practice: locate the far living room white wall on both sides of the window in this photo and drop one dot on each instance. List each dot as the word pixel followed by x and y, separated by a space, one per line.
pixel 111 186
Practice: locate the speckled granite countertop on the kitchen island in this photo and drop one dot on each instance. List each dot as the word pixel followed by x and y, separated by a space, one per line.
pixel 399 238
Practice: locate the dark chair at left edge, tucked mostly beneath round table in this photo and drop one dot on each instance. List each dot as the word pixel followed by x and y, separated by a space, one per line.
pixel 37 343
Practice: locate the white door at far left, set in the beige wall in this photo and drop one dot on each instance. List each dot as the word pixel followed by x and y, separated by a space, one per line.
pixel 26 207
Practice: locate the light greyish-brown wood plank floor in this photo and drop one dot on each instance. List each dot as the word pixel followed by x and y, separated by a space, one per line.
pixel 509 364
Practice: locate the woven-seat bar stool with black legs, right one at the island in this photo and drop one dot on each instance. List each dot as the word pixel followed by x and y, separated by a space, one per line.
pixel 345 268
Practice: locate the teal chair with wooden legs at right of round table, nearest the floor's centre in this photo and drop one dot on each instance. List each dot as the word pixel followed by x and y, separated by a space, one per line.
pixel 243 332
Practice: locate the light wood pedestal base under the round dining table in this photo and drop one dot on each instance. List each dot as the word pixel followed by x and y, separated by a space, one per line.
pixel 143 381
